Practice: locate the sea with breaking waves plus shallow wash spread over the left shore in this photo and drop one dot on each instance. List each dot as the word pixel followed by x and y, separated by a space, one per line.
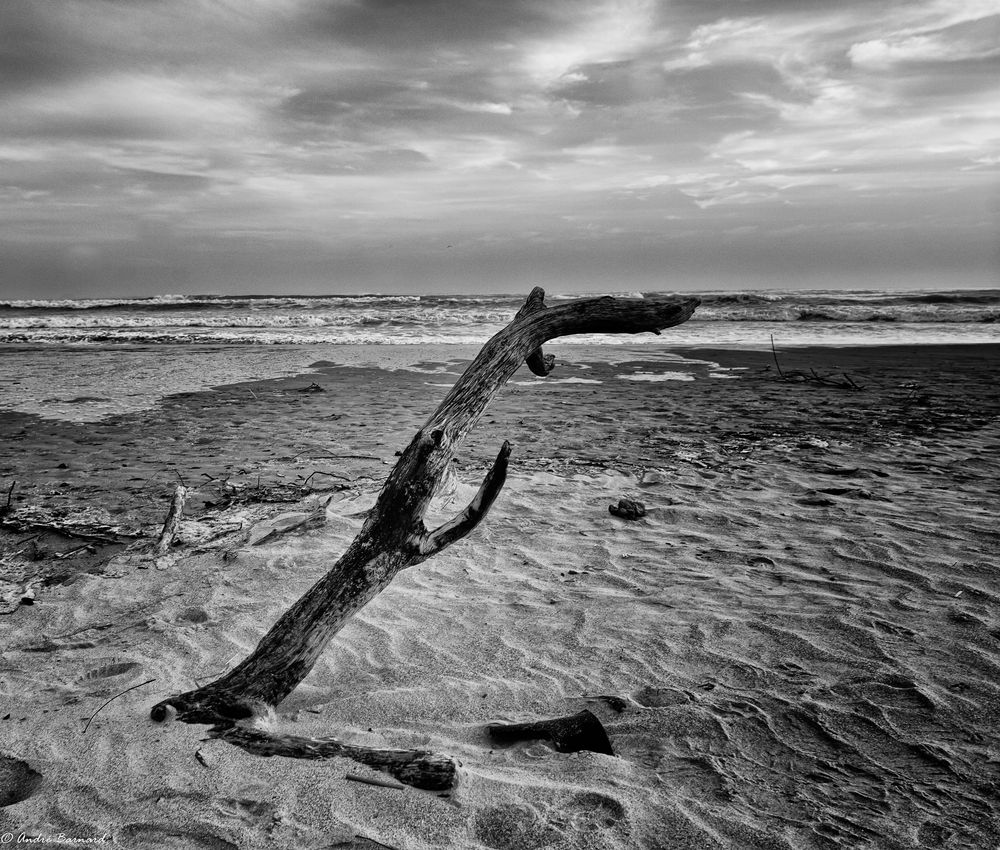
pixel 85 360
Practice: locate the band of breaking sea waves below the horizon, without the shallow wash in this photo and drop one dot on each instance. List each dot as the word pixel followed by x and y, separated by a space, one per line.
pixel 725 318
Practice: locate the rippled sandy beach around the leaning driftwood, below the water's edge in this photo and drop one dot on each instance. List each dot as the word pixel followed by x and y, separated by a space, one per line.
pixel 797 647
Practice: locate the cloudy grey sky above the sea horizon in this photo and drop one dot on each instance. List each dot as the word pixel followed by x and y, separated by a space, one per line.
pixel 311 146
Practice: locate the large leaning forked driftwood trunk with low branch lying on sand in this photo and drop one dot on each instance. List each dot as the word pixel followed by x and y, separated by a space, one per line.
pixel 394 535
